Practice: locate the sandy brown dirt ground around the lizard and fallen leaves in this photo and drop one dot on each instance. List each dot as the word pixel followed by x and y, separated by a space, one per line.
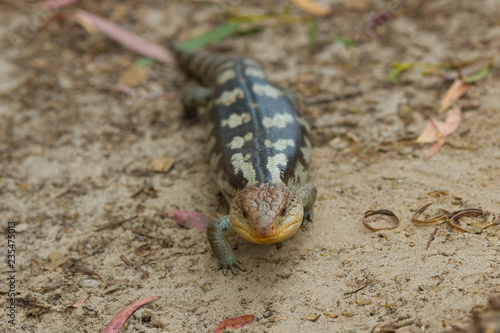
pixel 75 153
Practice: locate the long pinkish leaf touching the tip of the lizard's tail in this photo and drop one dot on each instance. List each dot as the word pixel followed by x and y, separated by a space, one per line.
pixel 128 39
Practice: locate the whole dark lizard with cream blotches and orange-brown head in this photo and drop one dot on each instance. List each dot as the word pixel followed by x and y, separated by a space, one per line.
pixel 258 149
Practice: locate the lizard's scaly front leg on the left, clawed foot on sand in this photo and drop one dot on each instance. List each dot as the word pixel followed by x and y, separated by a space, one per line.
pixel 217 232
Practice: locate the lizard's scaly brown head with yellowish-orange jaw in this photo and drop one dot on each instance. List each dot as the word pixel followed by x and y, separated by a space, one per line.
pixel 266 213
